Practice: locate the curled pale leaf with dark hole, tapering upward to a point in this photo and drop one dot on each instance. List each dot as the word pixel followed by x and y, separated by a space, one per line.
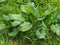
pixel 42 32
